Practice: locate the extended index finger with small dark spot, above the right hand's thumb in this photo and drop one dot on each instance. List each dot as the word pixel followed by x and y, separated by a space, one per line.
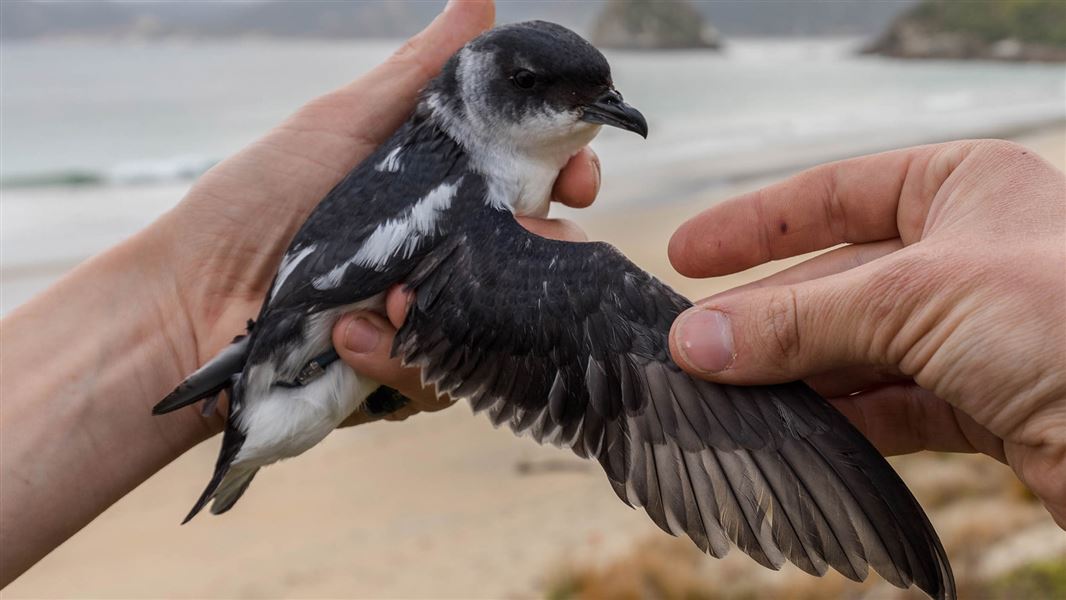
pixel 853 201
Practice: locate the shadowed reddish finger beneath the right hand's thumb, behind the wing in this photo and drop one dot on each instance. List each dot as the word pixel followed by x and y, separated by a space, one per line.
pixel 906 419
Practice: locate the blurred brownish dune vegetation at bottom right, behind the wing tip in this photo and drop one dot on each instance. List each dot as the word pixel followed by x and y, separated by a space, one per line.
pixel 1000 541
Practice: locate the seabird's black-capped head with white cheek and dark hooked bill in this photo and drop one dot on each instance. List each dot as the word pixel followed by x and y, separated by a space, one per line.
pixel 532 88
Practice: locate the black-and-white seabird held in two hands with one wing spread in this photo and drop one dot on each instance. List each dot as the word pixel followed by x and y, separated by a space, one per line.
pixel 564 343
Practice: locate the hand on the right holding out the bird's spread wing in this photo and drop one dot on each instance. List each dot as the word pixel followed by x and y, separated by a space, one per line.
pixel 941 327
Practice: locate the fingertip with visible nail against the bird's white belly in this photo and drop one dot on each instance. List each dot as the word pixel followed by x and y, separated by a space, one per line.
pixel 364 340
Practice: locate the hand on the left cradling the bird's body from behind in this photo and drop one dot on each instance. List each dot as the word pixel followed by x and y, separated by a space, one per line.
pixel 223 242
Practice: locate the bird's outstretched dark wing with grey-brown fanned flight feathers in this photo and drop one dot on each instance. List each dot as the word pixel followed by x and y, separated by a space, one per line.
pixel 569 344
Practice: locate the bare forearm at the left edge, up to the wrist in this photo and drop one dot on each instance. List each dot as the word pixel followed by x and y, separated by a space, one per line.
pixel 82 366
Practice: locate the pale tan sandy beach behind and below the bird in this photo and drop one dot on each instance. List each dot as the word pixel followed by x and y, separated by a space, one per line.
pixel 444 506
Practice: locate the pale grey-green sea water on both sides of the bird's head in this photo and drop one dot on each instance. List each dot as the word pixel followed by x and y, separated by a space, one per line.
pixel 99 139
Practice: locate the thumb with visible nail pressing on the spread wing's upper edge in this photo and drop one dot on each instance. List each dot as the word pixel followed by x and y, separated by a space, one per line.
pixel 779 334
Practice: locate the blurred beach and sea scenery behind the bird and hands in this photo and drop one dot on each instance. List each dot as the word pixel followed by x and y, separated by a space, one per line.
pixel 110 110
